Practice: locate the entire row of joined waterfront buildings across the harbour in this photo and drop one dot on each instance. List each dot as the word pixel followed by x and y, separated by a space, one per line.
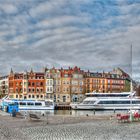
pixel 63 85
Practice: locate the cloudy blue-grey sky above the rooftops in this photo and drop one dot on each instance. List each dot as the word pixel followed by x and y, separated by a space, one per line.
pixel 91 34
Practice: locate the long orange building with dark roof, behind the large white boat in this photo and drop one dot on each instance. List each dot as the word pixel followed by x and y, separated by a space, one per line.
pixel 105 82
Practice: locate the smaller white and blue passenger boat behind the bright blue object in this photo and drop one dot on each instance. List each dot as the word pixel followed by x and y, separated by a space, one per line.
pixel 32 104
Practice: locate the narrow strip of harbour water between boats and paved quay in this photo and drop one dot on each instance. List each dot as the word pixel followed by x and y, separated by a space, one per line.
pixel 71 112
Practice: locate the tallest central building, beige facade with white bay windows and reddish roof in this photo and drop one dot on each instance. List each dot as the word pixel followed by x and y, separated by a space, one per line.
pixel 64 85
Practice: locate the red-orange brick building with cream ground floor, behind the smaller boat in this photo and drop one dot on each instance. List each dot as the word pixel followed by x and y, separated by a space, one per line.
pixel 28 85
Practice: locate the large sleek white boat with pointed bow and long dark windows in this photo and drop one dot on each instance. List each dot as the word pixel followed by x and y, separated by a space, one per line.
pixel 110 103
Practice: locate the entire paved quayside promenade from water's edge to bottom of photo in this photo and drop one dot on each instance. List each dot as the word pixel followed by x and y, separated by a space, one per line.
pixel 95 127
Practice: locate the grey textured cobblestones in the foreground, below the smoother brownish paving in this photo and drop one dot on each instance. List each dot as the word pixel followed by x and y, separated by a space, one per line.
pixel 98 130
